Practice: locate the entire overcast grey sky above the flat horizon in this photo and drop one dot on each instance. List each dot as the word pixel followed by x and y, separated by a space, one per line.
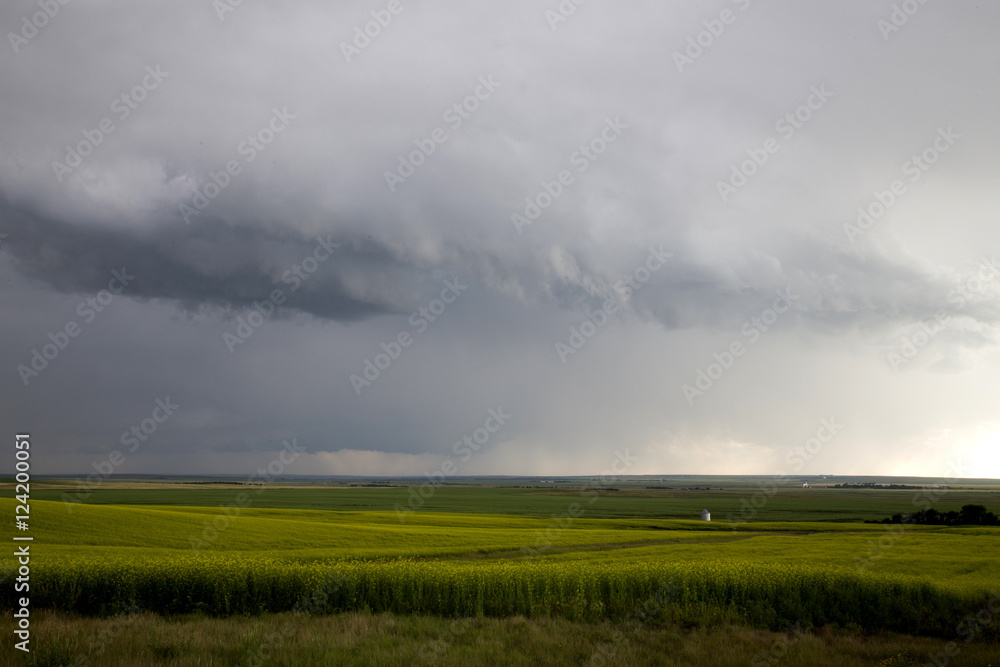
pixel 215 216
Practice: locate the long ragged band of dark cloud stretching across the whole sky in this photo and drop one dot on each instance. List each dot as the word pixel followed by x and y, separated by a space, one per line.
pixel 216 265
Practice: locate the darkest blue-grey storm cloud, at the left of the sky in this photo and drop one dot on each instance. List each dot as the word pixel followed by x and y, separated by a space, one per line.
pixel 212 264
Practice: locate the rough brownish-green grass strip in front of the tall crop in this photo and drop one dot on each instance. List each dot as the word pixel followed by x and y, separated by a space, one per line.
pixel 145 639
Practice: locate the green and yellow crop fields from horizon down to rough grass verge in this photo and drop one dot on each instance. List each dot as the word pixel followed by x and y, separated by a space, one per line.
pixel 805 560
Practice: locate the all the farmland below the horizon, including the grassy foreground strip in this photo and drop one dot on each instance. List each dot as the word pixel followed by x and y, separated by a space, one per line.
pixel 605 567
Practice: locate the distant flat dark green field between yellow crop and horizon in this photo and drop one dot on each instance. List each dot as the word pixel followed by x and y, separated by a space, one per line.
pixel 788 504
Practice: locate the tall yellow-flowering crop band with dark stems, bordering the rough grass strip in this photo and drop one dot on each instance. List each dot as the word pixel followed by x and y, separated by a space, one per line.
pixel 766 595
